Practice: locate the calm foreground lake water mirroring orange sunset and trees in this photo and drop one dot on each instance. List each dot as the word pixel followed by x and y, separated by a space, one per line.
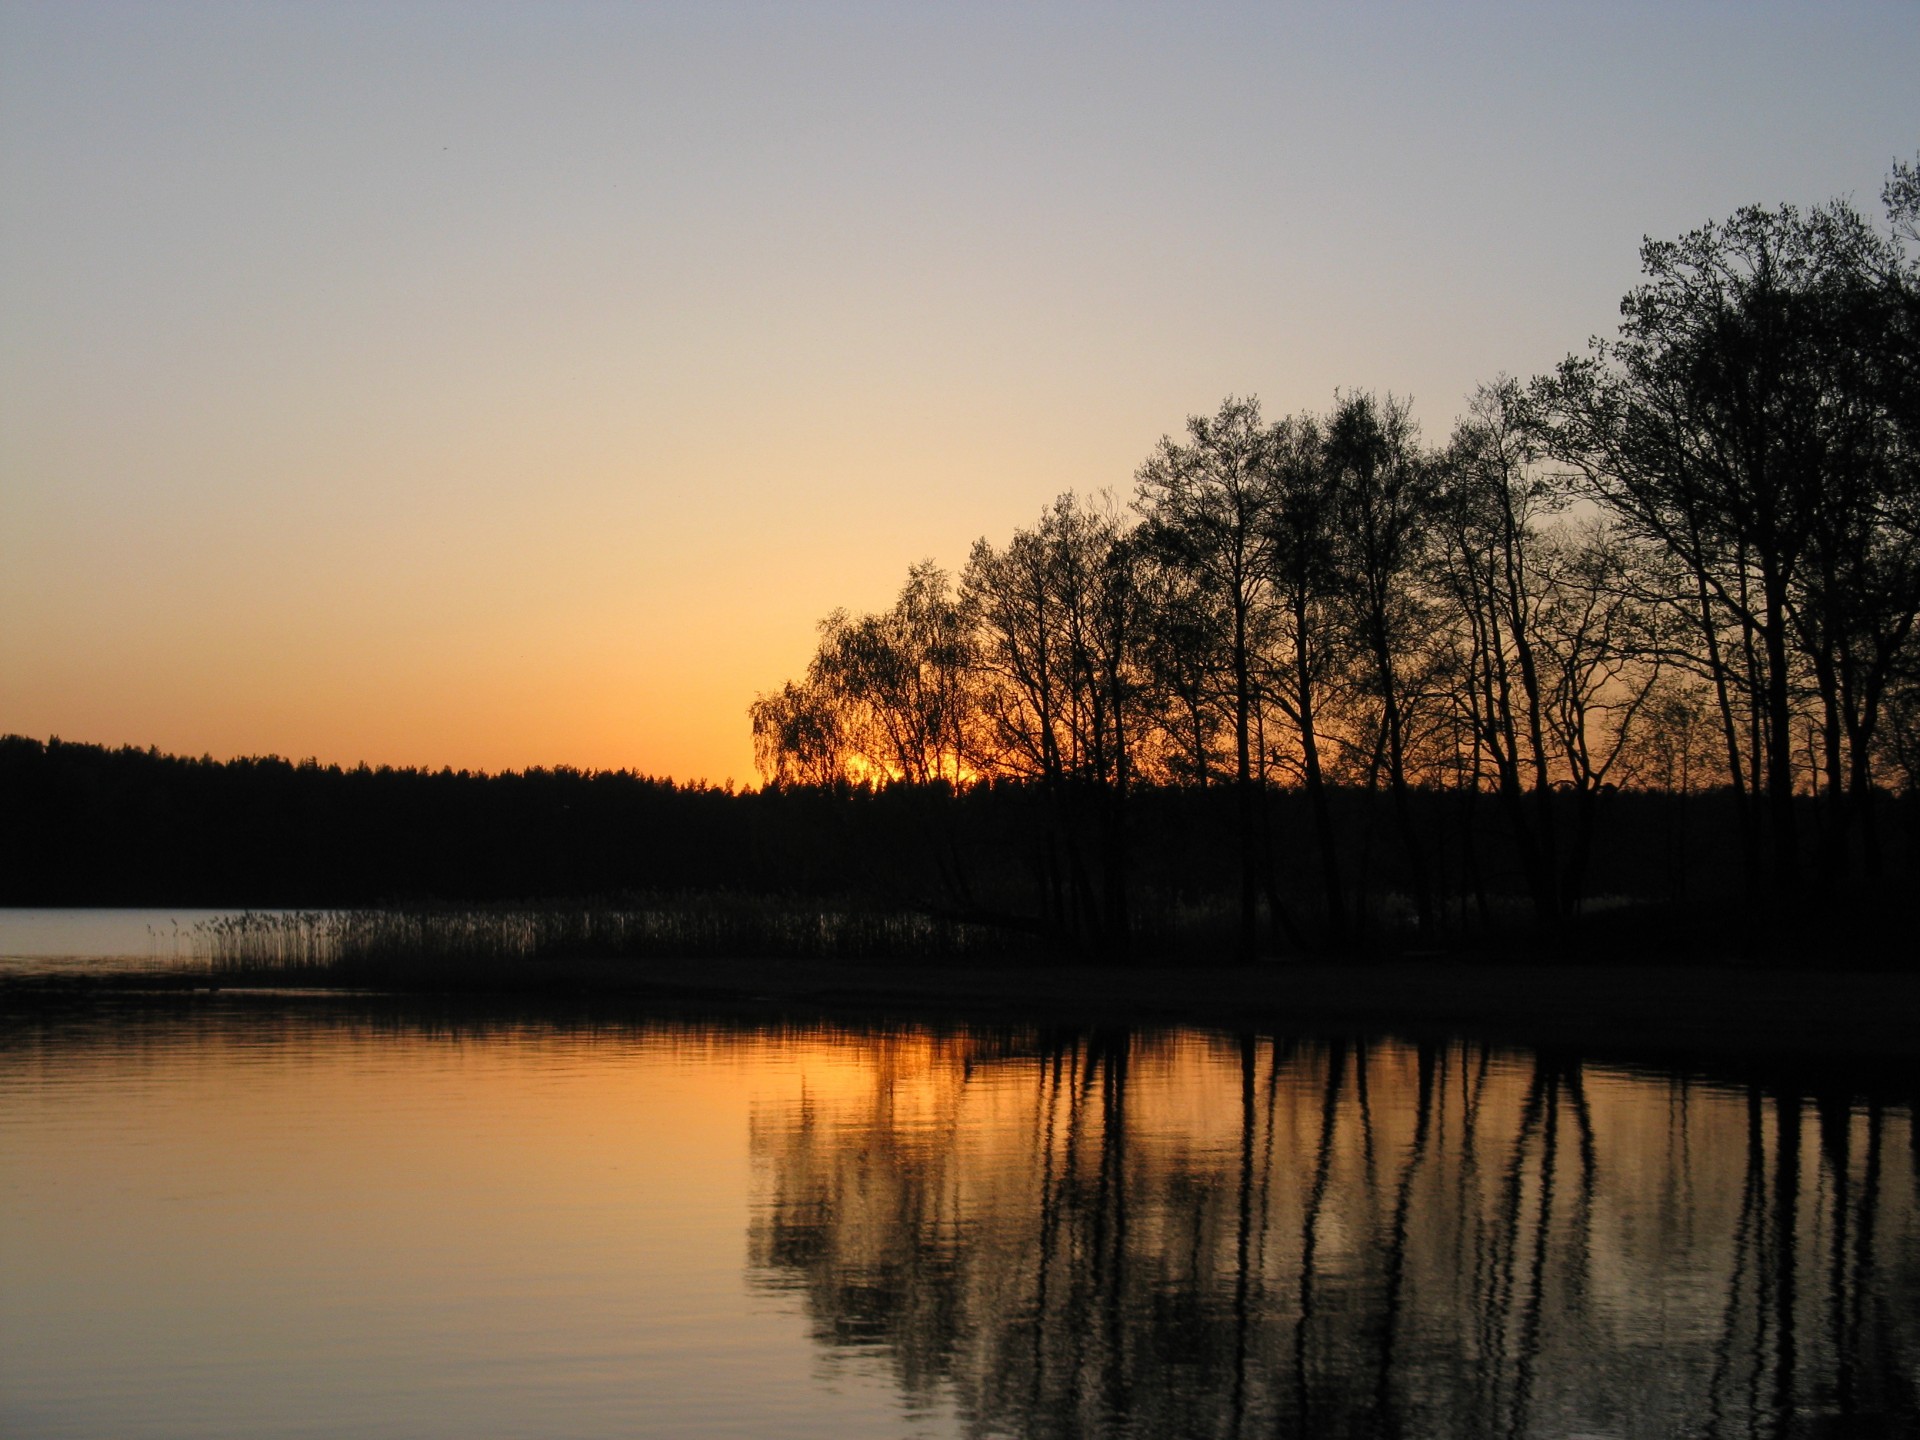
pixel 274 1218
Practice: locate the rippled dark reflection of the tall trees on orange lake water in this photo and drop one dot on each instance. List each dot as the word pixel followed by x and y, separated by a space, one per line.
pixel 1118 1234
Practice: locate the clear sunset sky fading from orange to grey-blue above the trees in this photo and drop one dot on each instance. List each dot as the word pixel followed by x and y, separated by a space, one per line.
pixel 506 385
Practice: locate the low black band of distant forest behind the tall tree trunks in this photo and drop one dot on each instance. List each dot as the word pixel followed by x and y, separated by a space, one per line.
pixel 85 825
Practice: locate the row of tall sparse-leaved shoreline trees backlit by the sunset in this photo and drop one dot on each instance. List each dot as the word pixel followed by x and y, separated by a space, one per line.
pixel 1683 564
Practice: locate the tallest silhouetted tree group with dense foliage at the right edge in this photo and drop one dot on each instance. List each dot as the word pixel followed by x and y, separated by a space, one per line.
pixel 1756 421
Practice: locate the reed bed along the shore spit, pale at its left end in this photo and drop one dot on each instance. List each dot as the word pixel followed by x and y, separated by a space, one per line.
pixel 373 948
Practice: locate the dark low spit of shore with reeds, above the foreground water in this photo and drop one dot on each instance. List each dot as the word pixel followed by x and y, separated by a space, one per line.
pixel 734 951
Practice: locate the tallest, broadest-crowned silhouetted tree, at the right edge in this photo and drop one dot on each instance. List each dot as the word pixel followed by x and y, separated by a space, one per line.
pixel 1735 425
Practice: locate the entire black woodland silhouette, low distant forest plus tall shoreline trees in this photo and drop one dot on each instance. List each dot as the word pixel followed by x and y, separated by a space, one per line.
pixel 1629 658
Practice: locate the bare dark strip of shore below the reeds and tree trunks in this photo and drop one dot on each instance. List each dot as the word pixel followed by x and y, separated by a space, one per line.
pixel 1696 1011
